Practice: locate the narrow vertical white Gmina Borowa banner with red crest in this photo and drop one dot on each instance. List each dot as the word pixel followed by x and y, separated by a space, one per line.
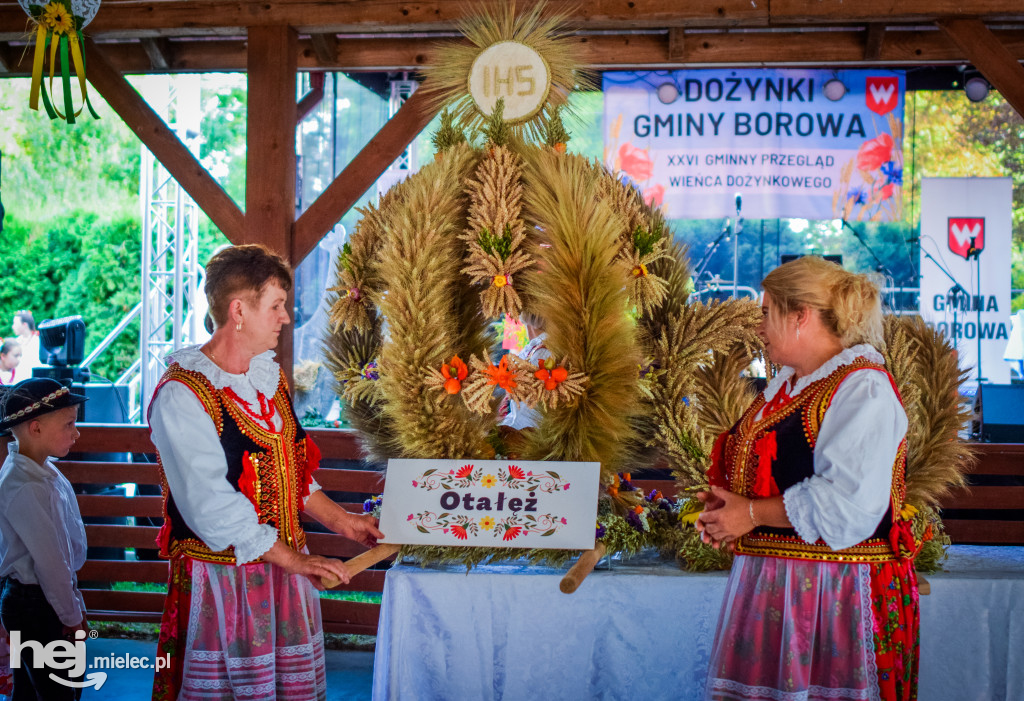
pixel 966 233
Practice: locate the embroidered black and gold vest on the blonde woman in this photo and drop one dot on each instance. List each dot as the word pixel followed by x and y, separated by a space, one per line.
pixel 762 459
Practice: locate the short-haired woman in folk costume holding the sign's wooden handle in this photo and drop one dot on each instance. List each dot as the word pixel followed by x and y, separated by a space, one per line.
pixel 242 620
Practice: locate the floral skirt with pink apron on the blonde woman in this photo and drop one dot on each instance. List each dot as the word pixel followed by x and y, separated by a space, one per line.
pixel 801 630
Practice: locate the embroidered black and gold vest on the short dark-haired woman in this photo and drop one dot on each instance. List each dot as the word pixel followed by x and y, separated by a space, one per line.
pixel 272 468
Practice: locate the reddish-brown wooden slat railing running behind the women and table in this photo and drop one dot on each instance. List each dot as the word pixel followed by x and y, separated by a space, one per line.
pixel 991 512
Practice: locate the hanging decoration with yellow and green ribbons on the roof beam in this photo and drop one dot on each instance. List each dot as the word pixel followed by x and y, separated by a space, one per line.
pixel 58 29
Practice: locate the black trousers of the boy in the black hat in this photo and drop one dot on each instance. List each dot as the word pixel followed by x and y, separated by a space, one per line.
pixel 24 608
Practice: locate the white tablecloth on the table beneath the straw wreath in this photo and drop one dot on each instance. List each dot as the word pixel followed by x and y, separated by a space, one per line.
pixel 645 632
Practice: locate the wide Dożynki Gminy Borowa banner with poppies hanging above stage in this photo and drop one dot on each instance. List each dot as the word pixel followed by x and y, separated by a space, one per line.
pixel 694 141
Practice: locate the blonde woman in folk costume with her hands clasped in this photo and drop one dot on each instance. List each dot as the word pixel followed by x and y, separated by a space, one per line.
pixel 807 489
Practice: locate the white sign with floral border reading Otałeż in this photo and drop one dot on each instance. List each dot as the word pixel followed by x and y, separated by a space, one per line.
pixel 491 504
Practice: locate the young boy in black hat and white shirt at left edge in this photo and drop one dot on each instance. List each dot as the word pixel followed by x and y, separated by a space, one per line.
pixel 42 540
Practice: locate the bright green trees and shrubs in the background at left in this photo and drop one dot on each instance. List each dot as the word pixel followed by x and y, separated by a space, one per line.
pixel 72 239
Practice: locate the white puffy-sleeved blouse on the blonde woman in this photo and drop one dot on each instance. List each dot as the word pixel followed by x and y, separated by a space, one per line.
pixel 846 499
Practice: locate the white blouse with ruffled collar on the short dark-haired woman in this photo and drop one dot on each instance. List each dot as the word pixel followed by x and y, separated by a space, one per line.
pixel 194 460
